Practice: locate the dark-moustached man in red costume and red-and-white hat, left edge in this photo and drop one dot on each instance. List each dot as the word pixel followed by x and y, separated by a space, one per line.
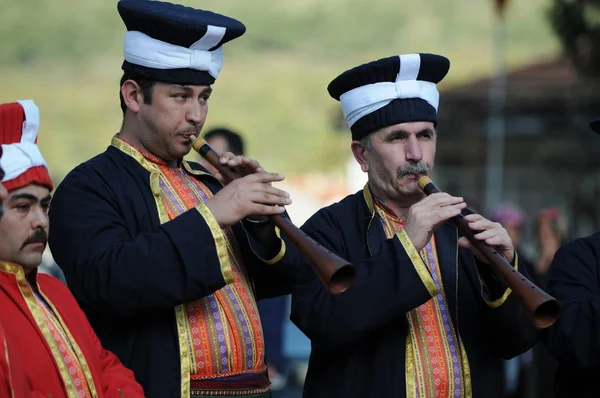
pixel 45 328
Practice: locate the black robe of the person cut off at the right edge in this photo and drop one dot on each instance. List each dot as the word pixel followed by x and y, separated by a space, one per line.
pixel 574 340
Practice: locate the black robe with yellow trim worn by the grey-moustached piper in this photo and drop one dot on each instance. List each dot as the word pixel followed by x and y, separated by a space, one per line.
pixel 359 337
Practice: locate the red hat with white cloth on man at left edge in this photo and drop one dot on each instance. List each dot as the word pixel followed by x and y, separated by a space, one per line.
pixel 21 159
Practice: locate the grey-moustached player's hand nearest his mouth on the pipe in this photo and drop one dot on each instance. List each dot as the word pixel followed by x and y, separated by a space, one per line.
pixel 428 214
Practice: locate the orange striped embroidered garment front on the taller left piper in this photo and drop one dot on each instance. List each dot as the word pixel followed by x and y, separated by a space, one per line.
pixel 223 330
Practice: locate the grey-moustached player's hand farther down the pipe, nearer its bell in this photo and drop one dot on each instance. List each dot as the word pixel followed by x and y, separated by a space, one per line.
pixel 492 233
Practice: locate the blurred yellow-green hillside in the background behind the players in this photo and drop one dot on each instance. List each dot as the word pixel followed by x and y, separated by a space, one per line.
pixel 66 54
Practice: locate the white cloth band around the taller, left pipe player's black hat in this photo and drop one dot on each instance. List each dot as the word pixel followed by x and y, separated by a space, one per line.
pixel 141 49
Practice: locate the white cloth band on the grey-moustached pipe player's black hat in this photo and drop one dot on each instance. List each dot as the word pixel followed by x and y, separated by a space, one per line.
pixel 364 100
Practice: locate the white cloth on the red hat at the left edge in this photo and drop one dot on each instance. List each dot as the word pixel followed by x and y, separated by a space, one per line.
pixel 18 157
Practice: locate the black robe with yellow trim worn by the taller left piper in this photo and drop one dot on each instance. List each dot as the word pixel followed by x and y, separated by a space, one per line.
pixel 129 272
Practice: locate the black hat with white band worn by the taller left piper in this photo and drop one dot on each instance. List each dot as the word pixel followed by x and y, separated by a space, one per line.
pixel 173 43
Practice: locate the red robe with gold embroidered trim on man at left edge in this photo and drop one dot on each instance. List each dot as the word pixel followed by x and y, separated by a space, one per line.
pixel 81 366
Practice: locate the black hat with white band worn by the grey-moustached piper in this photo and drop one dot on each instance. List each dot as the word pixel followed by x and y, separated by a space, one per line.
pixel 389 91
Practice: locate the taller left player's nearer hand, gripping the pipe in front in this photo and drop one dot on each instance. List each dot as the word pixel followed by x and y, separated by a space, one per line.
pixel 249 195
